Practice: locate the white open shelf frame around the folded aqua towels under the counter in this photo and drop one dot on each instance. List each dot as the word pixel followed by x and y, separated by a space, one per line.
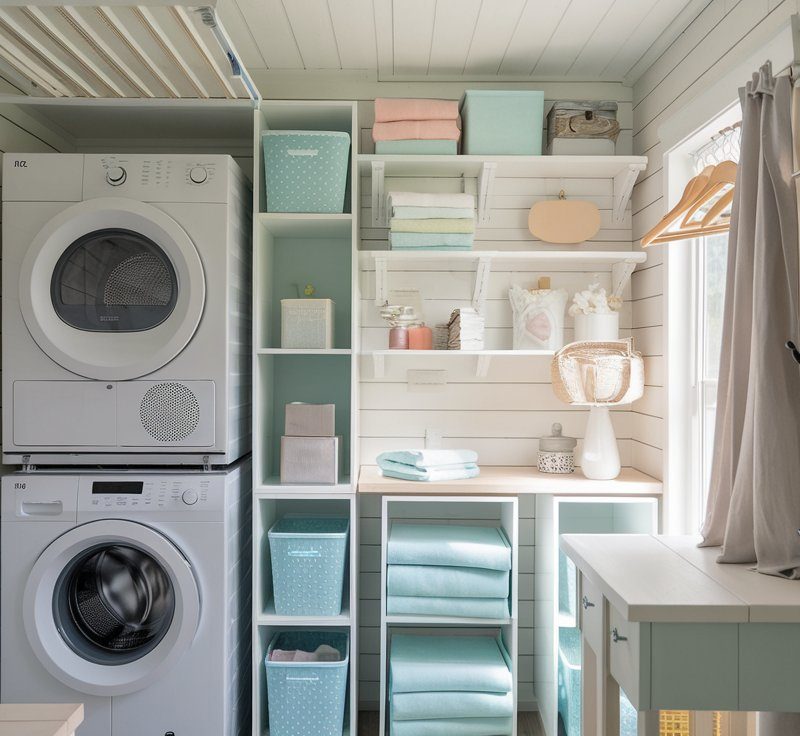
pixel 471 510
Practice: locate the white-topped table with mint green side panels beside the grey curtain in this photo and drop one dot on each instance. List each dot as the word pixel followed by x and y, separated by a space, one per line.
pixel 661 619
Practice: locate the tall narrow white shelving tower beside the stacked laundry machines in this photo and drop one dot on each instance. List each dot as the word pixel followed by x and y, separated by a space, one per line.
pixel 290 250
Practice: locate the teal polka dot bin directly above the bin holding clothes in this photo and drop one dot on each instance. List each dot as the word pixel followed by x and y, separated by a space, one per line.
pixel 308 565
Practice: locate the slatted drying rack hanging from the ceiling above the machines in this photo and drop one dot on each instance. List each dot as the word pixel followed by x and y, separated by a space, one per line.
pixel 162 50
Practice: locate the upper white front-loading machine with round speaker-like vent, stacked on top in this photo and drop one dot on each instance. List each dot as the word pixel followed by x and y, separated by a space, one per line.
pixel 126 303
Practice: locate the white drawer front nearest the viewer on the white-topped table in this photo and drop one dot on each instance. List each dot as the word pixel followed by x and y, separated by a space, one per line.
pixel 629 664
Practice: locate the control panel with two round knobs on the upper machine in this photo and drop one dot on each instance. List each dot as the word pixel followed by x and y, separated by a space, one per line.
pixel 181 178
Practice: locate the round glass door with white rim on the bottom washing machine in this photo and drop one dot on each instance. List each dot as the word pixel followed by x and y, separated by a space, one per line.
pixel 110 606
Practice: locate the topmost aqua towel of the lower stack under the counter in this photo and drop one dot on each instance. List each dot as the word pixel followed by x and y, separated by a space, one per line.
pixel 448 663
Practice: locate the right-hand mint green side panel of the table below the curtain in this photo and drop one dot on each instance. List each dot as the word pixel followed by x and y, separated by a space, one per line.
pixel 769 667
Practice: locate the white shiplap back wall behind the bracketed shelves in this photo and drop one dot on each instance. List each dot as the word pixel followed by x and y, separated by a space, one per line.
pixel 501 415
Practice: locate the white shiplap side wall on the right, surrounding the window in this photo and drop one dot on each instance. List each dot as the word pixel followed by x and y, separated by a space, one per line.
pixel 726 32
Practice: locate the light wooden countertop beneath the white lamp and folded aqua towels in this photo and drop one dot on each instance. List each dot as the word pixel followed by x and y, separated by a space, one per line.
pixel 504 481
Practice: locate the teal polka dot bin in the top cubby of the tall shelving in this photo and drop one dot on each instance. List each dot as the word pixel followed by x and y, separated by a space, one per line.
pixel 306 171
